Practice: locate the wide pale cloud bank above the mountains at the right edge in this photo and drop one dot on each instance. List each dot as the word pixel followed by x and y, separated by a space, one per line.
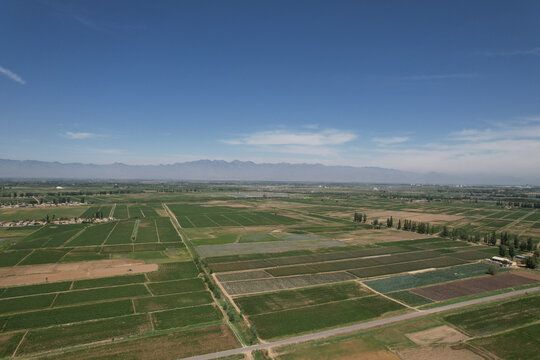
pixel 505 148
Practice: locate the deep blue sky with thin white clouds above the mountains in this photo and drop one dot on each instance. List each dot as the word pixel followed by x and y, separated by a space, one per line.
pixel 451 86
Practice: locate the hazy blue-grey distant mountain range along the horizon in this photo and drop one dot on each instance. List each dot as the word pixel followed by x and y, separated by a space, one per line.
pixel 214 170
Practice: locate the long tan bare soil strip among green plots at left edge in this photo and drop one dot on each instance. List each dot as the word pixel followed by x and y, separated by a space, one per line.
pixel 39 274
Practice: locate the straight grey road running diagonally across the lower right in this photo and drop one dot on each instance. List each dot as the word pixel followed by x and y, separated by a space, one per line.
pixel 363 326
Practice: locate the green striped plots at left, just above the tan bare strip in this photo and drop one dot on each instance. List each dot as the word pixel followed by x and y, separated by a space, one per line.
pixel 145 238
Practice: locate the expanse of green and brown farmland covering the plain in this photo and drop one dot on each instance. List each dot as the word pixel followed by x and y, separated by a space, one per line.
pixel 217 270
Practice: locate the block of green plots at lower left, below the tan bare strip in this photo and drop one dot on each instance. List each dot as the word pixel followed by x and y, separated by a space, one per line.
pixel 56 315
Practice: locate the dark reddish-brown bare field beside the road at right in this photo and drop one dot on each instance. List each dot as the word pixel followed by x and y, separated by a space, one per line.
pixel 472 286
